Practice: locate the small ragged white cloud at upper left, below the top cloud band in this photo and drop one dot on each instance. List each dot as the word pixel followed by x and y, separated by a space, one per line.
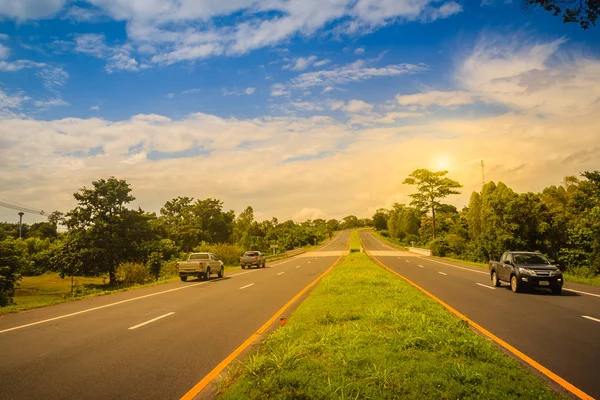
pixel 118 58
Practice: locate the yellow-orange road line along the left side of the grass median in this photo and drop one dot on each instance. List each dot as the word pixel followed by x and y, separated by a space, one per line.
pixel 193 392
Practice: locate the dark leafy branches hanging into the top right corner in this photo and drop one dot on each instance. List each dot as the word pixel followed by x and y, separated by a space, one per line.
pixel 584 12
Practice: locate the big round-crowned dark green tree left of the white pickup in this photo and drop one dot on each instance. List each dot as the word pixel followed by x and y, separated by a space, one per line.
pixel 105 232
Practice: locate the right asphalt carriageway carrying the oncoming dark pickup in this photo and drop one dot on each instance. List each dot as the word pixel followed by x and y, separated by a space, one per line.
pixel 552 330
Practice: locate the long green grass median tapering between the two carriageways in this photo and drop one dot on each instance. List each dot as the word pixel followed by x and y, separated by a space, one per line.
pixel 363 333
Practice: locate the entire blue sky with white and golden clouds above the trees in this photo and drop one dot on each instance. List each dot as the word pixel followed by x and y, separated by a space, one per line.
pixel 135 89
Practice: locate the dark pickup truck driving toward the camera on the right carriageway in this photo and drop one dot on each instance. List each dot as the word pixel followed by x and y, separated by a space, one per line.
pixel 525 269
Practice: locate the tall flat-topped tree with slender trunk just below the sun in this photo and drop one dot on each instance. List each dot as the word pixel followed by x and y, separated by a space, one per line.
pixel 432 187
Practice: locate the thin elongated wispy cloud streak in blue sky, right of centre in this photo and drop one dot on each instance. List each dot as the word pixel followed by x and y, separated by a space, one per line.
pixel 355 72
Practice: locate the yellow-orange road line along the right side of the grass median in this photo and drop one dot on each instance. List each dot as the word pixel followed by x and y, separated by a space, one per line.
pixel 562 382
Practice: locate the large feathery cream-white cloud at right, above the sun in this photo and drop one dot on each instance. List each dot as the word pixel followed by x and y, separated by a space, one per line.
pixel 527 74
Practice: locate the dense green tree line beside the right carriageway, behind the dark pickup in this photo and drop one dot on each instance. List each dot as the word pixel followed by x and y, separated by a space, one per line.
pixel 562 222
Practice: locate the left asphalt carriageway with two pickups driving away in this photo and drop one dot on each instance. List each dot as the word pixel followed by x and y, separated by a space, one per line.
pixel 151 343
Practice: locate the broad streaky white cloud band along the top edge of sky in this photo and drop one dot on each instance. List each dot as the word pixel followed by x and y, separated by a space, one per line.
pixel 185 30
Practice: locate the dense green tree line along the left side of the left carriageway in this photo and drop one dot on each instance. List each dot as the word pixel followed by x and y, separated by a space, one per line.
pixel 104 234
